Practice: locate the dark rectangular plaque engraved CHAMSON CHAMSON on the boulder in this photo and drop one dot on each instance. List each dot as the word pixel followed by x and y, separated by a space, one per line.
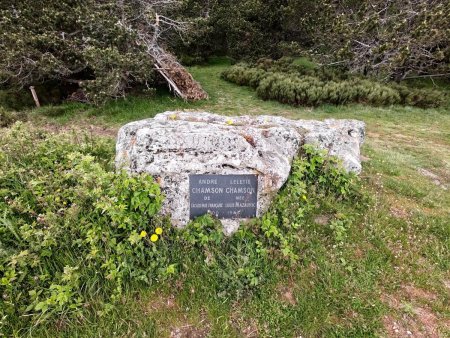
pixel 225 196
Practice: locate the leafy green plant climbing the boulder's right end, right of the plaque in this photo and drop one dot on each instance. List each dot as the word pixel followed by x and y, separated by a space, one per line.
pixel 314 176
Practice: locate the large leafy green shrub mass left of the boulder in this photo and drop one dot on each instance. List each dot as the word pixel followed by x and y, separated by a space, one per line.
pixel 70 226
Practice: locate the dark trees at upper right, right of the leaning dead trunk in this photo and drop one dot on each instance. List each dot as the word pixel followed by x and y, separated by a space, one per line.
pixel 391 39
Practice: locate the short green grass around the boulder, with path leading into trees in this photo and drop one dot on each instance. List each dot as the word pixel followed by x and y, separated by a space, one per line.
pixel 390 277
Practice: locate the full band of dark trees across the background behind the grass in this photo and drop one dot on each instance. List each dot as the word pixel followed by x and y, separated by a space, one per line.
pixel 108 46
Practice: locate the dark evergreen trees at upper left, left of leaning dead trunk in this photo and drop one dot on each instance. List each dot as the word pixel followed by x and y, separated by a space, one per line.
pixel 102 46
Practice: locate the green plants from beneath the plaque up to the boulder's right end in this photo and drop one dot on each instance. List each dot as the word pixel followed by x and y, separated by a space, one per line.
pixel 243 262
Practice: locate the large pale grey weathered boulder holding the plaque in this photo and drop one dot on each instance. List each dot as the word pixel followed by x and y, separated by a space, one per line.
pixel 174 145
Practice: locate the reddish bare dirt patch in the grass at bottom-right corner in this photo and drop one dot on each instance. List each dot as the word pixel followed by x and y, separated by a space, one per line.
pixel 415 317
